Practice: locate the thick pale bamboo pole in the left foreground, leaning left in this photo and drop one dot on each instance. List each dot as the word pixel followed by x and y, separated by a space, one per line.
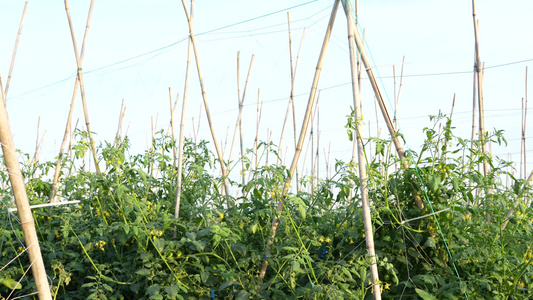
pixel 23 205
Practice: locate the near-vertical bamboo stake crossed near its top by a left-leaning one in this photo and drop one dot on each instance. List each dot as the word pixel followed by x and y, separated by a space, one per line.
pixel 182 123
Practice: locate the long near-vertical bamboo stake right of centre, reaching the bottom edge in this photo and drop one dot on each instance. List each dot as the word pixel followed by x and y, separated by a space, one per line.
pixel 367 219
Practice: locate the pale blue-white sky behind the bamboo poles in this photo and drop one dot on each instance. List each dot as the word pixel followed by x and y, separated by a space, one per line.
pixel 136 50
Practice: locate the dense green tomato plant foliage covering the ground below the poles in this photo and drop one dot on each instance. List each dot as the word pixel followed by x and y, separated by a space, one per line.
pixel 122 240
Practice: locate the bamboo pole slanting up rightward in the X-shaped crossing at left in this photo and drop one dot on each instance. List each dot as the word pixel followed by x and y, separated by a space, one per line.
pixel 55 181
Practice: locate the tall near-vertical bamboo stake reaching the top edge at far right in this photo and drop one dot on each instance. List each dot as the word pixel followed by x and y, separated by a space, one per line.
pixel 479 77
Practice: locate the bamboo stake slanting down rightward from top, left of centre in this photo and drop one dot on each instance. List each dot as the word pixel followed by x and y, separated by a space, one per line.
pixel 206 106
